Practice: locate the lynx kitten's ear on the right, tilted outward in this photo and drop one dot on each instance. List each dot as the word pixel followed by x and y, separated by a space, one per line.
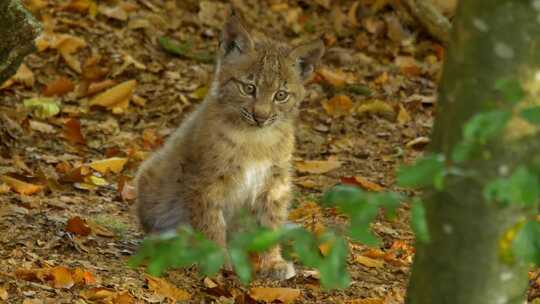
pixel 307 56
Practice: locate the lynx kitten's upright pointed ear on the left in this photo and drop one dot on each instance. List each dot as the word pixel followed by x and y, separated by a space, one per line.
pixel 235 39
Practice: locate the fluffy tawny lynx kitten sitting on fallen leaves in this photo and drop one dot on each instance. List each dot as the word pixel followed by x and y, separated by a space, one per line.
pixel 235 150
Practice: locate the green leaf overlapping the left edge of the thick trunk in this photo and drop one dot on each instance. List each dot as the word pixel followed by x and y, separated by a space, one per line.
pixel 427 171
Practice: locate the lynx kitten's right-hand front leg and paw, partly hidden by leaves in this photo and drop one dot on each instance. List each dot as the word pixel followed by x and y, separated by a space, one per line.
pixel 272 213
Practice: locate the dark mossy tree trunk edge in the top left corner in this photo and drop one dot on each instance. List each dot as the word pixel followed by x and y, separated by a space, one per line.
pixel 18 30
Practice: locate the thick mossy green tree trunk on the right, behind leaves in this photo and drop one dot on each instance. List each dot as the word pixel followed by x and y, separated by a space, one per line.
pixel 491 40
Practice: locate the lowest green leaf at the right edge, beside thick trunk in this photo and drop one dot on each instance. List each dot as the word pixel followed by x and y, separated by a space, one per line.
pixel 526 245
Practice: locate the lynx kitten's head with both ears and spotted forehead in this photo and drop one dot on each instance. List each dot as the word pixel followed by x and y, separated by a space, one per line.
pixel 260 83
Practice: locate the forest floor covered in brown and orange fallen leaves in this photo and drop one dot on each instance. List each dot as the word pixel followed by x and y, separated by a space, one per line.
pixel 68 154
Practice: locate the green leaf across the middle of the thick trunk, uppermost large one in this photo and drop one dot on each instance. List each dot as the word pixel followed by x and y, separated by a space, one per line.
pixel 485 126
